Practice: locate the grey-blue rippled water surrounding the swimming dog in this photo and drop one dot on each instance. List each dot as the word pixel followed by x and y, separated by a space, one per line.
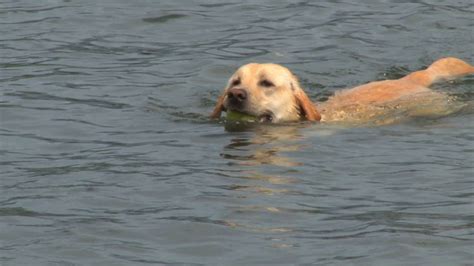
pixel 108 158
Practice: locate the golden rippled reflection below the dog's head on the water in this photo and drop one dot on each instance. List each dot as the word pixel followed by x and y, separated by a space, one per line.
pixel 267 145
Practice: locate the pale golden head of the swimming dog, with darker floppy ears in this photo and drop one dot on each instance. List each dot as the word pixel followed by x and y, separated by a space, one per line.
pixel 269 92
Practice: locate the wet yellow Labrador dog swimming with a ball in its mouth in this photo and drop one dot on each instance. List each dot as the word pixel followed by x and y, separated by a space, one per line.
pixel 271 93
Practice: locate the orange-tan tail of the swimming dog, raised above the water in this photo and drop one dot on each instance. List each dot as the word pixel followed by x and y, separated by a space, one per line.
pixel 447 68
